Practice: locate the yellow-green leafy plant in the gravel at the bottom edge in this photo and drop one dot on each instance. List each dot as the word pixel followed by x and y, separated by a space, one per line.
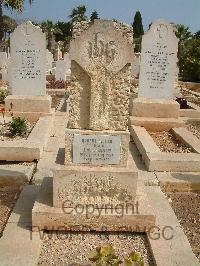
pixel 105 255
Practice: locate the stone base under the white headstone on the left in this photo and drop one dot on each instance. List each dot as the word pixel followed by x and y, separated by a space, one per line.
pixel 29 107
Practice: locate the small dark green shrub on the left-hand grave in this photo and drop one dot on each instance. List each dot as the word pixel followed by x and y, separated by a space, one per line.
pixel 18 126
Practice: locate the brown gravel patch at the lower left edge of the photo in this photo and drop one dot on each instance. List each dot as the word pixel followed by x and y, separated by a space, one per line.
pixel 8 199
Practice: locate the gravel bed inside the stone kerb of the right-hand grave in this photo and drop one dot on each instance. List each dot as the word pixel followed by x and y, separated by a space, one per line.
pixel 167 142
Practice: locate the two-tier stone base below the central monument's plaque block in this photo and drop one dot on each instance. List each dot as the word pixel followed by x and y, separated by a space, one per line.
pixel 93 198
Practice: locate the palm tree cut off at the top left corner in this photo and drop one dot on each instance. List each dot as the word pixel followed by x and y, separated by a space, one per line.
pixel 17 5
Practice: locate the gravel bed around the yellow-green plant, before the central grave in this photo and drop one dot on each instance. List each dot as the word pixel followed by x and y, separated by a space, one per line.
pixel 73 248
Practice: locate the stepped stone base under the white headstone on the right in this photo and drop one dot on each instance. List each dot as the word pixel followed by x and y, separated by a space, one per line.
pixel 155 114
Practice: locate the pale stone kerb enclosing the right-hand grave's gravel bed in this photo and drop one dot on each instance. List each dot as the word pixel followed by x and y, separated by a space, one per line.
pixel 155 160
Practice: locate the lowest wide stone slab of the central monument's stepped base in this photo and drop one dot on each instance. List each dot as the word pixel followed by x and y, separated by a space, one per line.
pixel 85 218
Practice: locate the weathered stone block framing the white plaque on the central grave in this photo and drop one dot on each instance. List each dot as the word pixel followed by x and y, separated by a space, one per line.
pixel 124 137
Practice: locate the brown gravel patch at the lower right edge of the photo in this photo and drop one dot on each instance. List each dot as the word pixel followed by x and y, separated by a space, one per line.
pixel 187 209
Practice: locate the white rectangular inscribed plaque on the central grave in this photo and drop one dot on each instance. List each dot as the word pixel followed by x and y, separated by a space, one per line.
pixel 96 149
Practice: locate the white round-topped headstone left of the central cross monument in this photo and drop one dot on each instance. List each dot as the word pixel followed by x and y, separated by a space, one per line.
pixel 28 60
